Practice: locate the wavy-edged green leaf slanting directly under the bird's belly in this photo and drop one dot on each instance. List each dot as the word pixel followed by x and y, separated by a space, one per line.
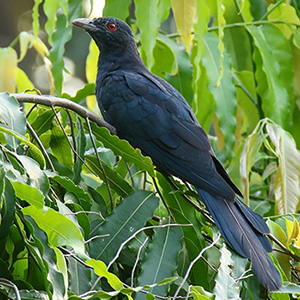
pixel 123 148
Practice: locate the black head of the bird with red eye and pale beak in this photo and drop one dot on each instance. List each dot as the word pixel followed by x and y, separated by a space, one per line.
pixel 109 33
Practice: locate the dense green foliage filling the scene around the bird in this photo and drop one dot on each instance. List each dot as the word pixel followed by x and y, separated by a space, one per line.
pixel 84 215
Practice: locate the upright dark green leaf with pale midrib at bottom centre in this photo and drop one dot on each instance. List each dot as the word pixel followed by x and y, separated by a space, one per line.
pixel 161 259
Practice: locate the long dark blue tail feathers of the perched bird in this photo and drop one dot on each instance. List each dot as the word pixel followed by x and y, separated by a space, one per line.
pixel 244 231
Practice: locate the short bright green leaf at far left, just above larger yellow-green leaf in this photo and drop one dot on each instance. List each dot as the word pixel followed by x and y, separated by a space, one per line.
pixel 29 194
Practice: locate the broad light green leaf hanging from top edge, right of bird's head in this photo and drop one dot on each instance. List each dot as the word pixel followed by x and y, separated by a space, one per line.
pixel 147 22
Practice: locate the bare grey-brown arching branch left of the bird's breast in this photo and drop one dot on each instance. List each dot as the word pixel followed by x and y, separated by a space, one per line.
pixel 65 103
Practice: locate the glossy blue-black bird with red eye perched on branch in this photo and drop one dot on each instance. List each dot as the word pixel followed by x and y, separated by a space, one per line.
pixel 153 116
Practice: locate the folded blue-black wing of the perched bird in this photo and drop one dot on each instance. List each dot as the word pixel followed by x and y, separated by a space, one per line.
pixel 154 117
